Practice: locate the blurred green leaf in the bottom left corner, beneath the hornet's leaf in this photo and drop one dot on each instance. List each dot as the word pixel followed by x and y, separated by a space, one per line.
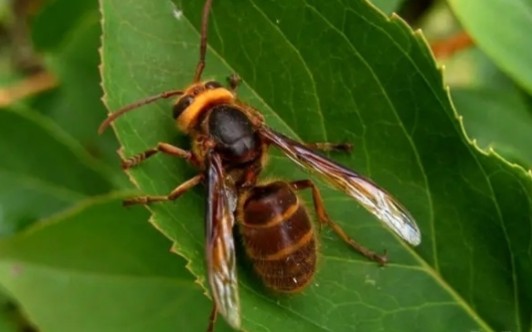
pixel 99 267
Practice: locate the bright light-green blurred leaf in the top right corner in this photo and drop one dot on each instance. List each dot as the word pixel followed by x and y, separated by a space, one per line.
pixel 502 30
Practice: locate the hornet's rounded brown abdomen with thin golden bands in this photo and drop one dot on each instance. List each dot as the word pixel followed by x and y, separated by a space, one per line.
pixel 278 237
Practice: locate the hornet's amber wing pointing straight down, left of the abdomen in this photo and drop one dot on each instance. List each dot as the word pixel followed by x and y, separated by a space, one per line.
pixel 221 261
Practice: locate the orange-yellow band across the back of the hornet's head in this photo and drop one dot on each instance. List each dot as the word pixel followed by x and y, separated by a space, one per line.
pixel 188 118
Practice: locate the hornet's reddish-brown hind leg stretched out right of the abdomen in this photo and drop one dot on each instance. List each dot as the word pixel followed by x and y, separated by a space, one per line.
pixel 324 218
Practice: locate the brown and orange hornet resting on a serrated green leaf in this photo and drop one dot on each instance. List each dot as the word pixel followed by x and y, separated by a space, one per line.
pixel 229 143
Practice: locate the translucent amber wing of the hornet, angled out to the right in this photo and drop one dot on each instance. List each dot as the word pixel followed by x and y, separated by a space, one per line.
pixel 373 198
